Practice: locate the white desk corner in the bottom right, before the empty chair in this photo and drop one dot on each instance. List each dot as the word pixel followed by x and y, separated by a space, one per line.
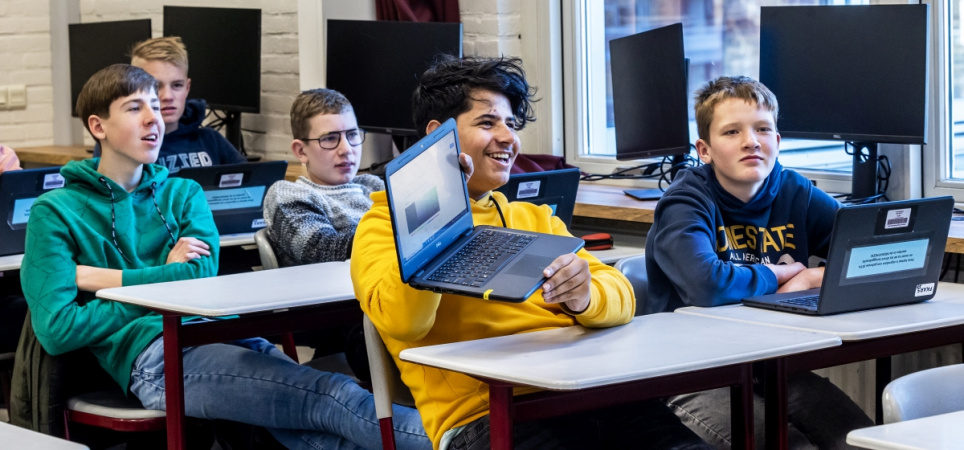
pixel 941 432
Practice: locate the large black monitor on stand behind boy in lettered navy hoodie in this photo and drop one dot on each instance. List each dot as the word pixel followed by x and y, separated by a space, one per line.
pixel 849 73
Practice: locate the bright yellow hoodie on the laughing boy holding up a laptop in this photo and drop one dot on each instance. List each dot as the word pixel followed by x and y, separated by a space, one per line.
pixel 408 318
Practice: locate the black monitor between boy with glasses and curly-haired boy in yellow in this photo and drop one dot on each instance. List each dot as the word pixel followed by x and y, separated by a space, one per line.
pixel 377 64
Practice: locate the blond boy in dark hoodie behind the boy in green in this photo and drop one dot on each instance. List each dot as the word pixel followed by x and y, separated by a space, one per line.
pixel 186 142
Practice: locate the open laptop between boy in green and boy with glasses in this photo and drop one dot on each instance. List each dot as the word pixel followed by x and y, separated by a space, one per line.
pixel 235 192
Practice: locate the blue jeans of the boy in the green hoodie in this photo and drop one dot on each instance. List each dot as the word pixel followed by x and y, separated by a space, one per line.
pixel 253 382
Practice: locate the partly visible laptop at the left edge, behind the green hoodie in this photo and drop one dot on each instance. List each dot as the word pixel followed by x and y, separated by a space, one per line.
pixel 18 190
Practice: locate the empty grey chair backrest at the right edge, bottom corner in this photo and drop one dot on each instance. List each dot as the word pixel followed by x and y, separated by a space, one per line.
pixel 926 393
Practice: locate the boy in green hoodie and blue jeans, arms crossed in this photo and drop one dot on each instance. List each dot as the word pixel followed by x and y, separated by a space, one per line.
pixel 121 221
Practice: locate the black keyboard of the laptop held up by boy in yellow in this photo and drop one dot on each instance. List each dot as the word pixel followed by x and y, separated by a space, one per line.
pixel 482 257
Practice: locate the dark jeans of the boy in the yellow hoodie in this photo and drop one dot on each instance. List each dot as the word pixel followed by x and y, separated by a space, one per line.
pixel 643 425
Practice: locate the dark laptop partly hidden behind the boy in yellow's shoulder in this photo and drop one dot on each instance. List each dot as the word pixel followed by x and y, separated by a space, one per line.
pixel 556 188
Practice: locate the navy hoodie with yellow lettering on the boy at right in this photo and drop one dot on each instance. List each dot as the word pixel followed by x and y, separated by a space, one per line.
pixel 706 247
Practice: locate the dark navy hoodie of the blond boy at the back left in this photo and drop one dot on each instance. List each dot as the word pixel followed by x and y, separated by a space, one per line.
pixel 192 145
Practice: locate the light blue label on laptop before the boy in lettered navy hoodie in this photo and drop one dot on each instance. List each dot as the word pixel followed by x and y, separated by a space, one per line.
pixel 887 258
